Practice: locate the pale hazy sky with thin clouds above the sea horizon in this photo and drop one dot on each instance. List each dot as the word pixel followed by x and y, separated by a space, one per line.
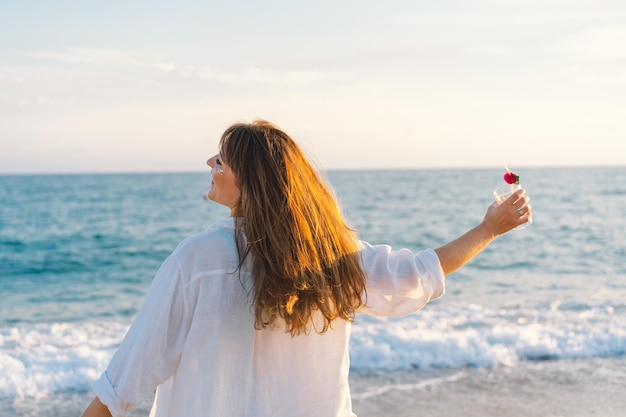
pixel 149 86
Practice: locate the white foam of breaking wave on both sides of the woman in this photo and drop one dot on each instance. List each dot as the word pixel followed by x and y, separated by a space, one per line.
pixel 41 359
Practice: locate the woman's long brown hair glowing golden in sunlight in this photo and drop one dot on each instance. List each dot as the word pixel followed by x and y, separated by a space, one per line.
pixel 304 256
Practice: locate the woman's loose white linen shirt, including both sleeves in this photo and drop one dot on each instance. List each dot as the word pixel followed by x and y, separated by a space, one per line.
pixel 194 340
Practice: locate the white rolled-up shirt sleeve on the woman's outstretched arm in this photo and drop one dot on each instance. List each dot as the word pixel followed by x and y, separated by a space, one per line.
pixel 400 282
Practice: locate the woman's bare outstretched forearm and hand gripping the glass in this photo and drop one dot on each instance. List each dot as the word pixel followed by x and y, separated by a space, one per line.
pixel 499 219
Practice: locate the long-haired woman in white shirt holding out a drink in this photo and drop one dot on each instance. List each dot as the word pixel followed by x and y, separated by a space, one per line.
pixel 252 317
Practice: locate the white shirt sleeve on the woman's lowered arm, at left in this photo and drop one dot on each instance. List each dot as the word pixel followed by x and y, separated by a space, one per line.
pixel 150 351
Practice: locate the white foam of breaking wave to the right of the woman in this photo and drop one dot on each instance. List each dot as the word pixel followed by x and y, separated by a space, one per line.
pixel 479 337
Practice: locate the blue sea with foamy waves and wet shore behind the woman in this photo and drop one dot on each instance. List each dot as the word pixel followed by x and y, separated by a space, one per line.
pixel 540 312
